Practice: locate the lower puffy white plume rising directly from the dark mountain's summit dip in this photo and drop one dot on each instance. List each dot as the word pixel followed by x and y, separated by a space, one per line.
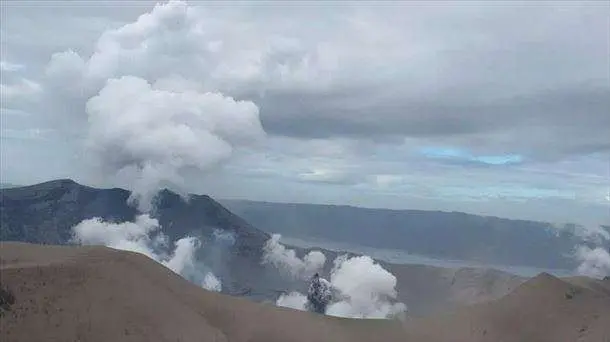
pixel 158 133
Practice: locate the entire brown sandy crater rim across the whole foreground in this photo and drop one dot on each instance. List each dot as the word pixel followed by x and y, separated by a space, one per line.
pixel 99 294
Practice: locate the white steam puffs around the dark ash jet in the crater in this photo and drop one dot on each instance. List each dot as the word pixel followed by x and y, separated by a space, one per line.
pixel 361 287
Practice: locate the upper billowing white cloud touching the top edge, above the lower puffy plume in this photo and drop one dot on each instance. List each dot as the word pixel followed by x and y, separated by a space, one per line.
pixel 176 39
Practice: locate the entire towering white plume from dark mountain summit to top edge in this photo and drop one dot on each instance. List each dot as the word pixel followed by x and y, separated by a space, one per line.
pixel 154 105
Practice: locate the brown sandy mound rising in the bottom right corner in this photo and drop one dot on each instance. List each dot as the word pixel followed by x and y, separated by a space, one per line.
pixel 543 309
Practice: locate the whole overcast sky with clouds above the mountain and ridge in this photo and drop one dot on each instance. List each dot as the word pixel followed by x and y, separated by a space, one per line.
pixel 498 108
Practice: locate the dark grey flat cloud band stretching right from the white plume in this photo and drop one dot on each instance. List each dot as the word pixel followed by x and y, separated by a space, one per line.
pixel 538 123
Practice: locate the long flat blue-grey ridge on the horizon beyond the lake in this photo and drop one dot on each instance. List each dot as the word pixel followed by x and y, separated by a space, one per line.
pixel 447 235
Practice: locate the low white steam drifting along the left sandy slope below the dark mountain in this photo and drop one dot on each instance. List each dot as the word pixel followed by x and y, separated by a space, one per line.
pixel 144 236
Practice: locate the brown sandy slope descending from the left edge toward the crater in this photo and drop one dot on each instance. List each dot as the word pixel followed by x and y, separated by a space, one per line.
pixel 99 294
